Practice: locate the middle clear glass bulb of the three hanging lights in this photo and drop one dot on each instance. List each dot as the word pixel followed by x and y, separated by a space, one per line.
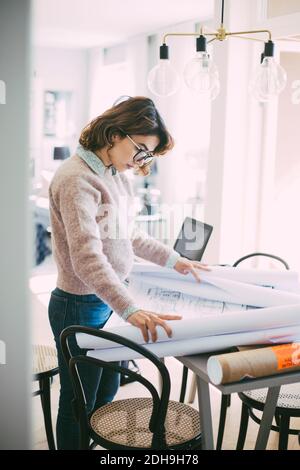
pixel 201 75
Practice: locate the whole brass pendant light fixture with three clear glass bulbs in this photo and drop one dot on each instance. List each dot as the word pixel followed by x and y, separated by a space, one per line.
pixel 201 74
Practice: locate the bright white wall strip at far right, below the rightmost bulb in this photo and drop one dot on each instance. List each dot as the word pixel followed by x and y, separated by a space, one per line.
pixel 284 221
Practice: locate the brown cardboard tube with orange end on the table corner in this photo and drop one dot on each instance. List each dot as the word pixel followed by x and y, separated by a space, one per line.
pixel 253 363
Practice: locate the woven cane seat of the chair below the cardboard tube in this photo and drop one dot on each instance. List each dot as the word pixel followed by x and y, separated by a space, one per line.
pixel 289 396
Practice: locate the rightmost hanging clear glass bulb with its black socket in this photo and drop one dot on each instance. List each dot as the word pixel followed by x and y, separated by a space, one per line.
pixel 269 78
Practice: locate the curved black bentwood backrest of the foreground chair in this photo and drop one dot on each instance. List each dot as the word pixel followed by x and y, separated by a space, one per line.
pixel 160 403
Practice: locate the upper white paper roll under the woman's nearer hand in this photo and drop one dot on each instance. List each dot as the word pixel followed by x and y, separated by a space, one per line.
pixel 206 325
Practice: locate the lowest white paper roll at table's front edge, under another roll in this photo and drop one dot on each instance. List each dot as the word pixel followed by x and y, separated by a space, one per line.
pixel 200 345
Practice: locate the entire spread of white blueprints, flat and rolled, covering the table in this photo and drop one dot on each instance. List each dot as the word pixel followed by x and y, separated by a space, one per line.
pixel 217 313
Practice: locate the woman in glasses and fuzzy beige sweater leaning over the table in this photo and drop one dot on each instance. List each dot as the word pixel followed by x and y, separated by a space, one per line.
pixel 90 199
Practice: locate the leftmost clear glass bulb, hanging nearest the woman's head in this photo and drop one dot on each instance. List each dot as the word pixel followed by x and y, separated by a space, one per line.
pixel 163 80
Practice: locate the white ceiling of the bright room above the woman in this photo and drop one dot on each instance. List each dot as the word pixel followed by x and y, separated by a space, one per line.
pixel 89 23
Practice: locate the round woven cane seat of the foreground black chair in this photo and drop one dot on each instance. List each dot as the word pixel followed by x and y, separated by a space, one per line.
pixel 126 422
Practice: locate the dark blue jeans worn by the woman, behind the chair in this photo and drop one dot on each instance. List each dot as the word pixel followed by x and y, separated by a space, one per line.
pixel 100 386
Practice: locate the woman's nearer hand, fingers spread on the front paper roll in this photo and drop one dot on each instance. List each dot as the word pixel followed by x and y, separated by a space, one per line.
pixel 147 321
